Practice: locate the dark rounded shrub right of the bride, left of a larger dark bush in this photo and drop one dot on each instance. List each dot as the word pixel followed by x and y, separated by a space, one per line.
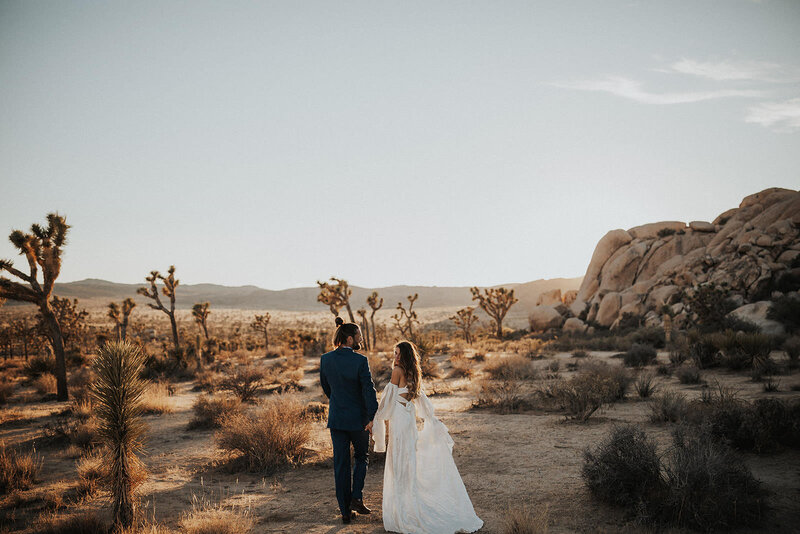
pixel 624 468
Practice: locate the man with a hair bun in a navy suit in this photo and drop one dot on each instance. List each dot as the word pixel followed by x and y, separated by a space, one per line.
pixel 347 382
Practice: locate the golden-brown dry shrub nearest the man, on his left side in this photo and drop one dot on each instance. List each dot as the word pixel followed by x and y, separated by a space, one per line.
pixel 274 436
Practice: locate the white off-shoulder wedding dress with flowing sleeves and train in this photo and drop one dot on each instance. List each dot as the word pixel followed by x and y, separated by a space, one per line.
pixel 422 490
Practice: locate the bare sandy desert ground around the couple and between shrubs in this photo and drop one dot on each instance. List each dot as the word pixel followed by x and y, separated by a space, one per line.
pixel 504 460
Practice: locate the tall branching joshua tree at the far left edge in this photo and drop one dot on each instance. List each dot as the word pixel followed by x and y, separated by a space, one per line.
pixel 42 248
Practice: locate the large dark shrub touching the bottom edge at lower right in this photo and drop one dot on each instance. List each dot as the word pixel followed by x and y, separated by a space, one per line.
pixel 709 487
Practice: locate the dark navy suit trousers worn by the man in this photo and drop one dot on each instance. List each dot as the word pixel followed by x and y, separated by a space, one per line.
pixel 345 491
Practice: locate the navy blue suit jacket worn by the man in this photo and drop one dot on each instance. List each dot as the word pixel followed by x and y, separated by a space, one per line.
pixel 346 380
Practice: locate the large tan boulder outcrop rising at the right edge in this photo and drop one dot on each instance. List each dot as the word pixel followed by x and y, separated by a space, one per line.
pixel 642 270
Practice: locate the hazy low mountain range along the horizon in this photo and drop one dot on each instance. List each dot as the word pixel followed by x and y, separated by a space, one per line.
pixel 93 292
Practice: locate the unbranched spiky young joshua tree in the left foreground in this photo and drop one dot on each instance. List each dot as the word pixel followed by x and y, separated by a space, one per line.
pixel 117 391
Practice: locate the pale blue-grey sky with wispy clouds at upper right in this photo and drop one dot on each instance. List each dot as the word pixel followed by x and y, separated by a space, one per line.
pixel 449 143
